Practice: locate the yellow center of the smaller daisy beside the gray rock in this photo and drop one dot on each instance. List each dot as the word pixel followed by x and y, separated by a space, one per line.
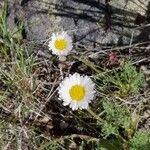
pixel 61 44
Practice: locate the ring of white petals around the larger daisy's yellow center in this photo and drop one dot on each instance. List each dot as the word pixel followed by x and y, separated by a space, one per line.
pixel 72 80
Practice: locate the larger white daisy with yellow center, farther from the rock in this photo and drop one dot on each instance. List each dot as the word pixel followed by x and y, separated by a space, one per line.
pixel 76 91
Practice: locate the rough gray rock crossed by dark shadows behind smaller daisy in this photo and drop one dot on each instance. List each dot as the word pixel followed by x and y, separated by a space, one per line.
pixel 88 21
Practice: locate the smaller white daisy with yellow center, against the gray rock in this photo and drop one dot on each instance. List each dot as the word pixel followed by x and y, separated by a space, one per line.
pixel 60 44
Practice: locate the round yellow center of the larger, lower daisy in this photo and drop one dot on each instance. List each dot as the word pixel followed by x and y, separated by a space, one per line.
pixel 77 92
